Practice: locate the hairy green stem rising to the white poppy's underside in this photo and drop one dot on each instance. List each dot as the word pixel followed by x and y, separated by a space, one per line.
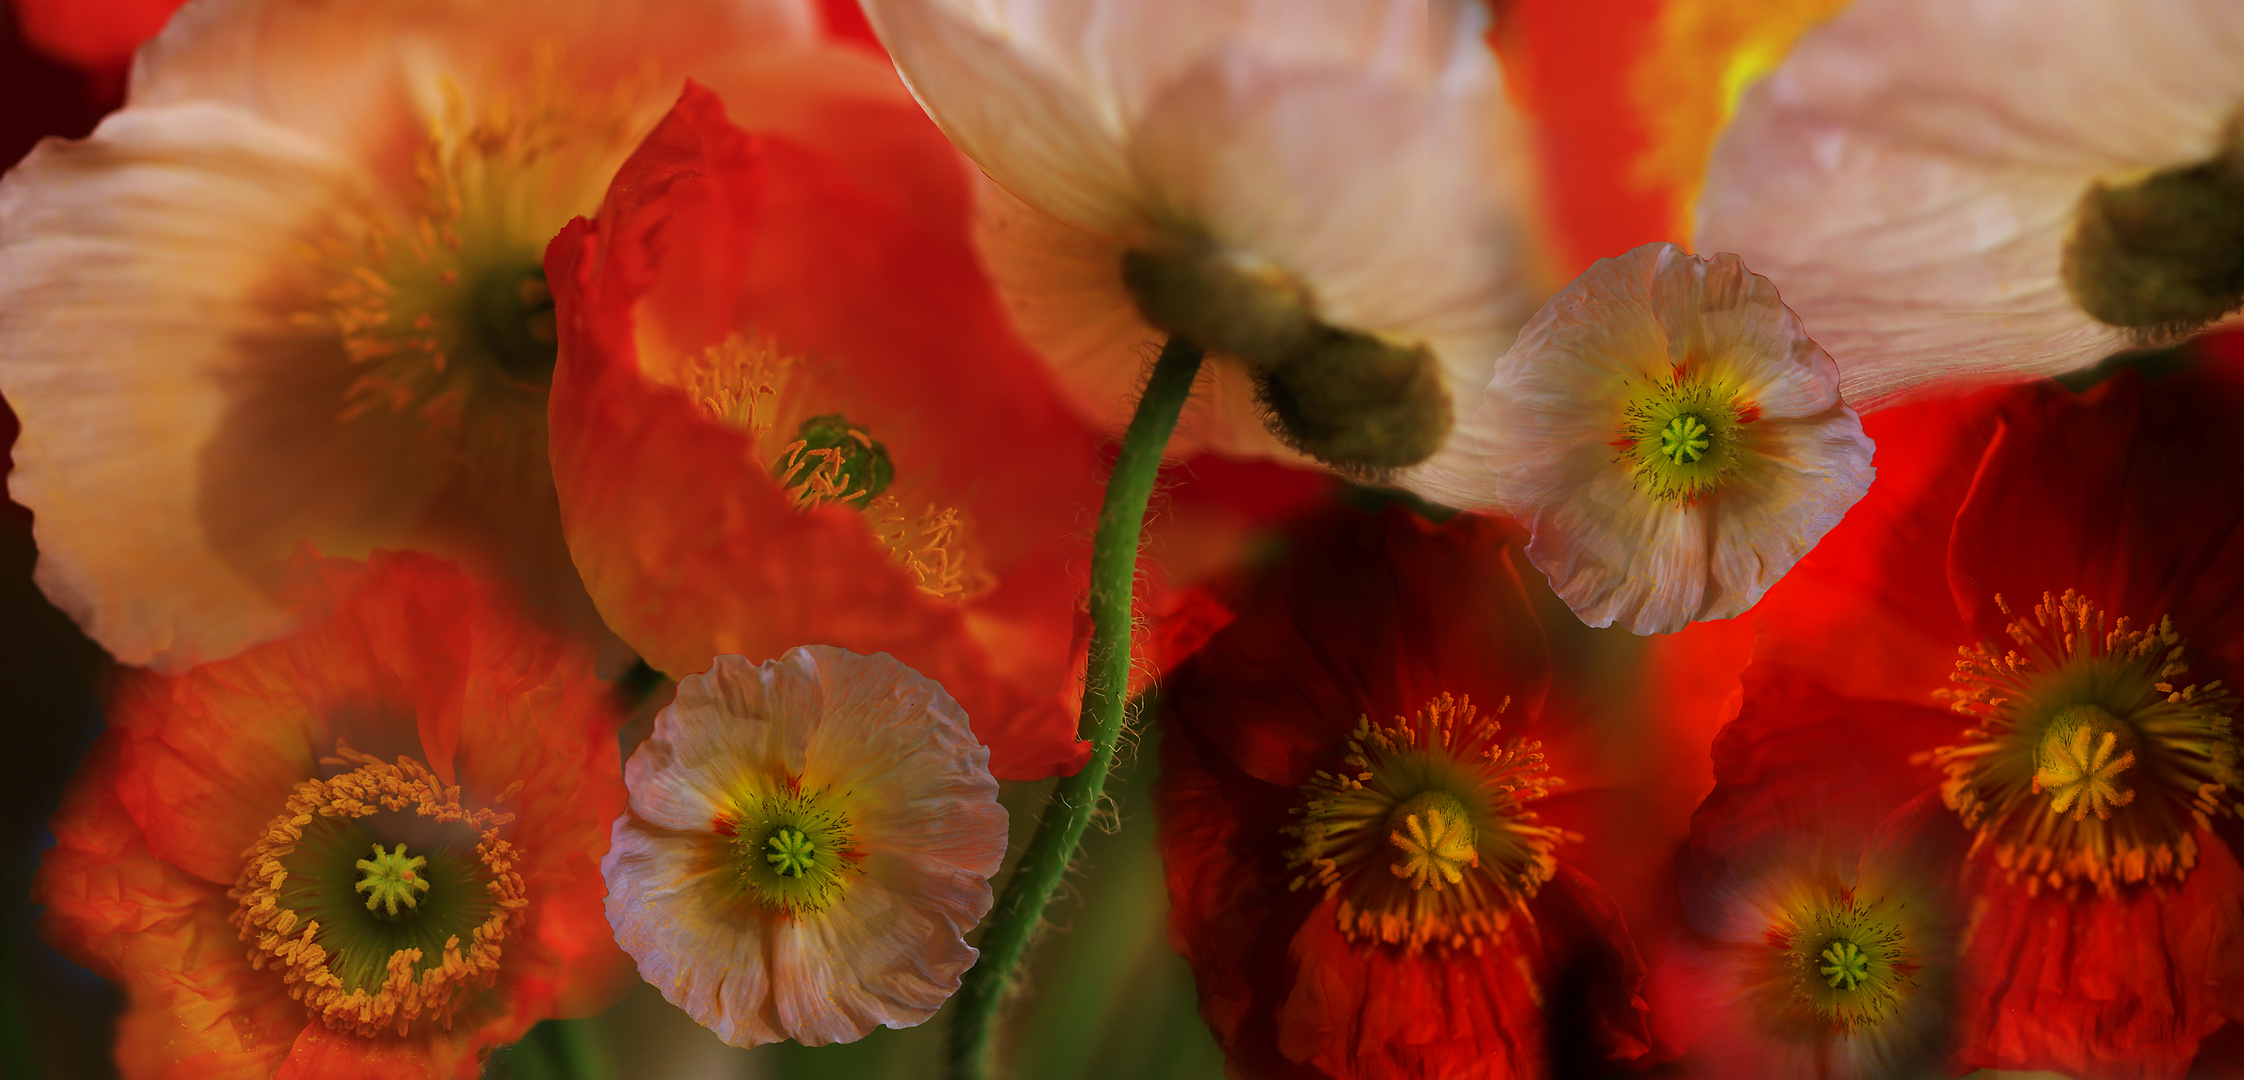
pixel 1114 571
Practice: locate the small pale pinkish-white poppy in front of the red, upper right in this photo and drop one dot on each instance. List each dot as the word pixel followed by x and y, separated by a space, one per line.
pixel 1671 439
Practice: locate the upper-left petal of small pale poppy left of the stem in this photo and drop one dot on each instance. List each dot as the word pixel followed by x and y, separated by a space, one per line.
pixel 728 726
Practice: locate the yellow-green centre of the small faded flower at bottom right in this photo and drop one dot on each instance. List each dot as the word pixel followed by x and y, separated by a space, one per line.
pixel 1850 960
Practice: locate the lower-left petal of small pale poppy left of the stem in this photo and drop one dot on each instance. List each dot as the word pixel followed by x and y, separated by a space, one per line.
pixel 679 913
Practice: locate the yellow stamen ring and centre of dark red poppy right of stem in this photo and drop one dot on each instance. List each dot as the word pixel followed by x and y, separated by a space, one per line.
pixel 1424 830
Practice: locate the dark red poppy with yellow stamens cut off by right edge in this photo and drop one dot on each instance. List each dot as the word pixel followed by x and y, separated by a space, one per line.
pixel 2043 589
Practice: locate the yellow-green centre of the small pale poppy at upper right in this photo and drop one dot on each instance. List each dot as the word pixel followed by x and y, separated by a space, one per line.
pixel 1682 439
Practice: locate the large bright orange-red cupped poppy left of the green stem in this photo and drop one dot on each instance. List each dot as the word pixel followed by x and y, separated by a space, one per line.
pixel 791 410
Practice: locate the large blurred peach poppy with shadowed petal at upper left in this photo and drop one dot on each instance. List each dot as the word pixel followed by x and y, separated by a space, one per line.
pixel 293 293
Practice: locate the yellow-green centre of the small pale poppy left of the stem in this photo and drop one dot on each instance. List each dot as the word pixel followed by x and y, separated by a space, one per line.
pixel 793 850
